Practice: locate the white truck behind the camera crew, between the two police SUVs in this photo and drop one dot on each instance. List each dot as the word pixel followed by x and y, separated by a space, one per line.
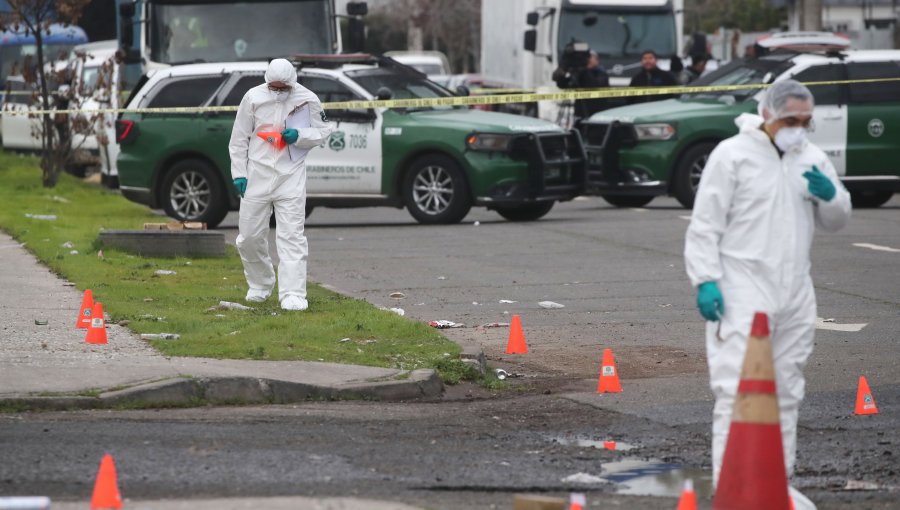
pixel 522 41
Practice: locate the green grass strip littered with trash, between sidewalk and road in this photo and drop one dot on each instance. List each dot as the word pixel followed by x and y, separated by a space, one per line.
pixel 130 290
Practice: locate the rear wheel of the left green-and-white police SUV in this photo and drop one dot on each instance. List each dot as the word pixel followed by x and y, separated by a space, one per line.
pixel 193 191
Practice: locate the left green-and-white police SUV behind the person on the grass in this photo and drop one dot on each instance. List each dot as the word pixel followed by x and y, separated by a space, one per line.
pixel 437 162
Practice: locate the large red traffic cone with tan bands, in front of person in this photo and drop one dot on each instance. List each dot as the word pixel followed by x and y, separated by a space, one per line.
pixel 753 475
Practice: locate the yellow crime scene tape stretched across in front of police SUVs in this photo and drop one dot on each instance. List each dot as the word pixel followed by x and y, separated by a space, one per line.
pixel 532 97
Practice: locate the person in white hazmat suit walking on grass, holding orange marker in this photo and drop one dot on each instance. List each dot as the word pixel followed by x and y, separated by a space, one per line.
pixel 268 176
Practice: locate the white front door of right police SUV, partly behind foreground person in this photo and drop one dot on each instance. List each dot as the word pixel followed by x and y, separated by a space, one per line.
pixel 829 126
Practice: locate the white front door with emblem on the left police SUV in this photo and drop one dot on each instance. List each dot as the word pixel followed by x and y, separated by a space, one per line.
pixel 350 162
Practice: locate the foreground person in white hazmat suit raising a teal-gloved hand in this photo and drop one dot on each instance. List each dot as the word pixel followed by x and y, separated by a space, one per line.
pixel 761 195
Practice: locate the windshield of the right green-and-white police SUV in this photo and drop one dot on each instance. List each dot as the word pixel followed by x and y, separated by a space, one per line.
pixel 741 72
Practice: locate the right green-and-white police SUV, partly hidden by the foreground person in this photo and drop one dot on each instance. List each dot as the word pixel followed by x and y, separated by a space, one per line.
pixel 646 150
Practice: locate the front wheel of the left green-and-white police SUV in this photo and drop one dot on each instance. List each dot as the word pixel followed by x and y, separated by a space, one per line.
pixel 435 190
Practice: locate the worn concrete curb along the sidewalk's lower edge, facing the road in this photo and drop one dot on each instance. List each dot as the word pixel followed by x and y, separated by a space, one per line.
pixel 188 392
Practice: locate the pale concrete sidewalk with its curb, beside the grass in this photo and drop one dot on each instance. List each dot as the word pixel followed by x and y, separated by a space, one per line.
pixel 49 366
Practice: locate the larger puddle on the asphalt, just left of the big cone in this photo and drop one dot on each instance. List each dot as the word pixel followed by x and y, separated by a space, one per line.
pixel 655 478
